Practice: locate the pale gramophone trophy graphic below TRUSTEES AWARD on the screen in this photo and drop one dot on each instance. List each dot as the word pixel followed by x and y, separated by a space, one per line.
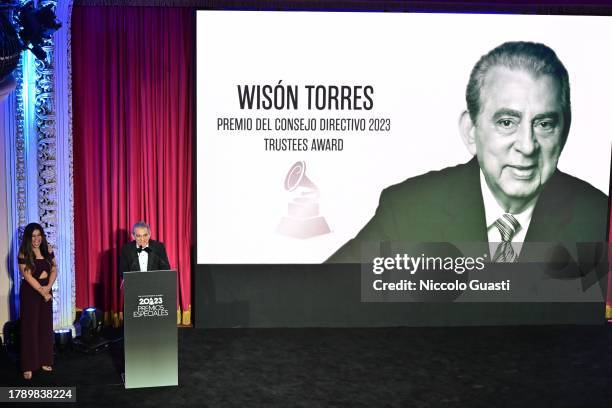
pixel 303 219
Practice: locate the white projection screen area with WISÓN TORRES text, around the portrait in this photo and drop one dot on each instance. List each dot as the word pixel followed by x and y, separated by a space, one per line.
pixel 303 118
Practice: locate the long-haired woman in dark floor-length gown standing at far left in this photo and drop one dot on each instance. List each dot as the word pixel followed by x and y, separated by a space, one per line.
pixel 39 271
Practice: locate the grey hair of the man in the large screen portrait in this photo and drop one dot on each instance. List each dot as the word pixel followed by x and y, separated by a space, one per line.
pixel 535 58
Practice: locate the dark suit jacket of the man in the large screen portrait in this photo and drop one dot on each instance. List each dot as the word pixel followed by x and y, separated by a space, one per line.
pixel 447 206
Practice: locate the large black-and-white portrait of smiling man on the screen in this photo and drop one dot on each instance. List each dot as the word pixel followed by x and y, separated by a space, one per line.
pixel 516 124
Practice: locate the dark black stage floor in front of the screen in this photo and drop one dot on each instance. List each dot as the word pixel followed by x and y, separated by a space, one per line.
pixel 553 366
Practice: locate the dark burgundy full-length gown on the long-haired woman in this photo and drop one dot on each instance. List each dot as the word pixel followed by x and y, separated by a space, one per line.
pixel 36 341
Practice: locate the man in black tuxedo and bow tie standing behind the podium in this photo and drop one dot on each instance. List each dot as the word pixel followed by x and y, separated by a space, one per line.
pixel 143 253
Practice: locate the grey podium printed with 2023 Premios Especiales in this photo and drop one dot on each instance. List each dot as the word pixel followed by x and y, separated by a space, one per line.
pixel 150 333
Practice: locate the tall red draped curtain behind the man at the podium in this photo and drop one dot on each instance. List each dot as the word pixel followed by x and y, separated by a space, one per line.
pixel 132 143
